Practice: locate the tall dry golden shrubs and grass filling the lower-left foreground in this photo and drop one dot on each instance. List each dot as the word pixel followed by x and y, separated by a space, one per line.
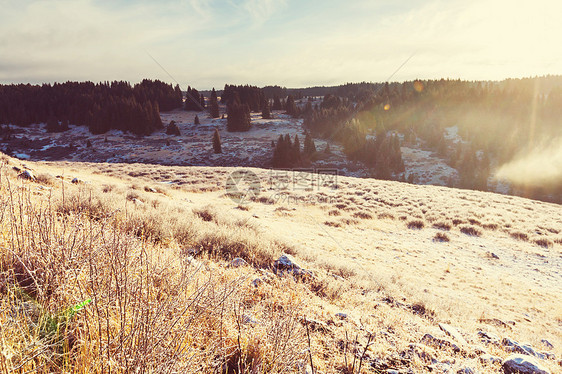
pixel 80 294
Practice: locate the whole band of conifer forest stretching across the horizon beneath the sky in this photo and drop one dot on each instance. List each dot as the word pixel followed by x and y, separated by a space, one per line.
pixel 496 120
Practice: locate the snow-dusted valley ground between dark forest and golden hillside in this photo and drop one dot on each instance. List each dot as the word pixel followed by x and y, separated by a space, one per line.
pixel 251 148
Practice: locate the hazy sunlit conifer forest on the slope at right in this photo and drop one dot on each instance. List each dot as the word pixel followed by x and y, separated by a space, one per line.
pixel 496 120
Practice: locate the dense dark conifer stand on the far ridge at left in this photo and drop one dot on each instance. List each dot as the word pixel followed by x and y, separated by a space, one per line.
pixel 101 107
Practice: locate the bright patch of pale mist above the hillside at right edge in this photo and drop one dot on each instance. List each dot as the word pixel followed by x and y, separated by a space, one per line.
pixel 541 167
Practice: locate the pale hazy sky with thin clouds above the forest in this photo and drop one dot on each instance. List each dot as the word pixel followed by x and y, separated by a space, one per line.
pixel 293 43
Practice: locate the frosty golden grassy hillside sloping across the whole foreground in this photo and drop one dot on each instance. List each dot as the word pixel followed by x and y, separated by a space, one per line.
pixel 126 268
